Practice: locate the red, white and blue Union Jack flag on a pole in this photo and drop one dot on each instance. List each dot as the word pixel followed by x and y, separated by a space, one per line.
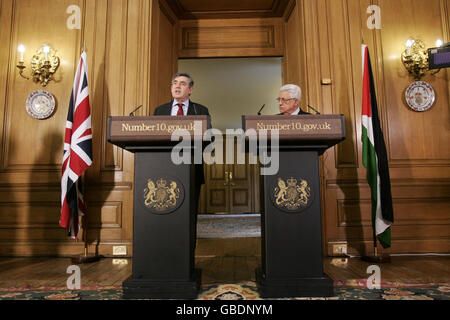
pixel 77 151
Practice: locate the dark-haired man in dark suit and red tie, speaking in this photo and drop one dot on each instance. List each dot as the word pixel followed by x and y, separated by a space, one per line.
pixel 182 87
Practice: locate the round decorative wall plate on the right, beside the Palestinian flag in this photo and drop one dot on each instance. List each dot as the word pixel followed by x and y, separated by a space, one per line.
pixel 420 96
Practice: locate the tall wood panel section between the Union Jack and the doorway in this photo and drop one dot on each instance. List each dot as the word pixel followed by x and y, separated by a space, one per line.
pixel 123 77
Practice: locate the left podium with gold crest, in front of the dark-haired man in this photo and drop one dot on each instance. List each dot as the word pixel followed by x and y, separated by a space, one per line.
pixel 164 206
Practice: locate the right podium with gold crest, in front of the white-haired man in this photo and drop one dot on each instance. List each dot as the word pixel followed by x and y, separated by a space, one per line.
pixel 291 205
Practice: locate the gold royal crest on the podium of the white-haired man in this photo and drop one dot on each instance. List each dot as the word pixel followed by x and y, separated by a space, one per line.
pixel 292 195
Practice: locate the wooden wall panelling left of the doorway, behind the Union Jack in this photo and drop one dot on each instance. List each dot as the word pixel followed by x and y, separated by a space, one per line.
pixel 109 31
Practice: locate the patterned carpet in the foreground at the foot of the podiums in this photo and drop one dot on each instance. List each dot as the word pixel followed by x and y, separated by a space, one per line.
pixel 344 290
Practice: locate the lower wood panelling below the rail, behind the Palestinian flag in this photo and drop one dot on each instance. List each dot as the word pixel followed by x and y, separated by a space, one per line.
pixel 421 217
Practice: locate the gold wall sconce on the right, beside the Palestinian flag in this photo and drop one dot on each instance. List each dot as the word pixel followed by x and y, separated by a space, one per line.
pixel 415 57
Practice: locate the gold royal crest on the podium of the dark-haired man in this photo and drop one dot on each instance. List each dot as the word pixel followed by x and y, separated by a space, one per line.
pixel 164 195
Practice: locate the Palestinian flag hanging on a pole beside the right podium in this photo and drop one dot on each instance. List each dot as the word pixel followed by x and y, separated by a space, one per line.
pixel 374 158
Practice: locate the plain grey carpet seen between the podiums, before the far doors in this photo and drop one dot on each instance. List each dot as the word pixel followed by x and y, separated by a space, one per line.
pixel 221 226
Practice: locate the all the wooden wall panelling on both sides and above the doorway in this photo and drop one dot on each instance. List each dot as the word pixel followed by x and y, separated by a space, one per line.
pixel 132 52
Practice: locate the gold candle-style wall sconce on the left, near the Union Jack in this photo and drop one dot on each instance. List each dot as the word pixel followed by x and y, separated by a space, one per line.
pixel 44 64
